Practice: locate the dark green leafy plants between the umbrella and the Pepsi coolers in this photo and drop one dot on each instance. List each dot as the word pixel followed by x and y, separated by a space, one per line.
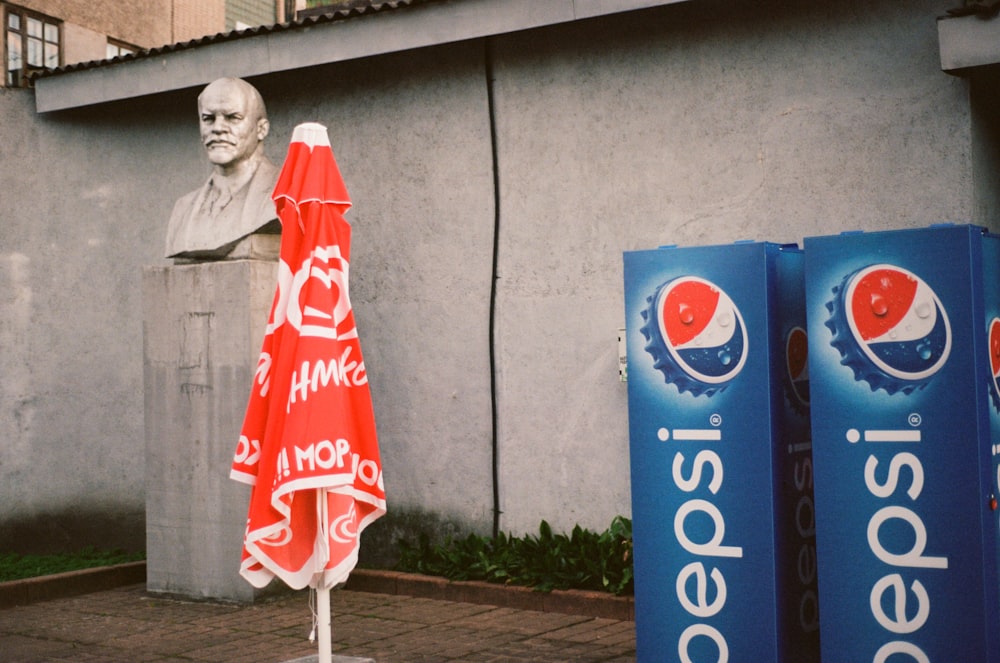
pixel 581 560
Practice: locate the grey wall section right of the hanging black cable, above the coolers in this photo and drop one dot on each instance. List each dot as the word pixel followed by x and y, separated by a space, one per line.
pixel 704 122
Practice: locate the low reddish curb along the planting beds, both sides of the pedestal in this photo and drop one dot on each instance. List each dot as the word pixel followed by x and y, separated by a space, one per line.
pixel 571 602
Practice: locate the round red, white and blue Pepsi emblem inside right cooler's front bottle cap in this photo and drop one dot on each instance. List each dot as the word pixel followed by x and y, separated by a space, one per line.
pixel 898 322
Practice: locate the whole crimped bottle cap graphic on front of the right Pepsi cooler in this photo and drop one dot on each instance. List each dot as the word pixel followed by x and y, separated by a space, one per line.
pixel 890 328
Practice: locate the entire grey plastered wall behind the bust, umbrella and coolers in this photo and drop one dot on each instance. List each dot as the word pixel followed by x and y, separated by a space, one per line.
pixel 702 122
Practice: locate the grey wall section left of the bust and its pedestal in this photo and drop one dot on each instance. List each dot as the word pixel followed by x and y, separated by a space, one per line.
pixel 83 198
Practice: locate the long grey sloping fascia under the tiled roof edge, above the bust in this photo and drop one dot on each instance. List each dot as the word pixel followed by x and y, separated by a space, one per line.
pixel 271 51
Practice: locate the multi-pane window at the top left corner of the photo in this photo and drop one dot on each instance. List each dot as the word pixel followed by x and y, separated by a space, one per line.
pixel 32 42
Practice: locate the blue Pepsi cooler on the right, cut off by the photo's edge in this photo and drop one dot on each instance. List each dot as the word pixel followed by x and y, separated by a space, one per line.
pixel 904 347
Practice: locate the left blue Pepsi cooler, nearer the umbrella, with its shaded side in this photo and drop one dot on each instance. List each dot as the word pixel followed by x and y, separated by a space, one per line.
pixel 720 452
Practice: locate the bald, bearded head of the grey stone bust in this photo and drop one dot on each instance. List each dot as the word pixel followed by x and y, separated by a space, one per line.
pixel 231 125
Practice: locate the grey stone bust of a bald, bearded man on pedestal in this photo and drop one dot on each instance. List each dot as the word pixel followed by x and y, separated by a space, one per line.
pixel 235 202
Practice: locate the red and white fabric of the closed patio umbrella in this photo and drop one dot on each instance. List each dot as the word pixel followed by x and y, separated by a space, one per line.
pixel 308 444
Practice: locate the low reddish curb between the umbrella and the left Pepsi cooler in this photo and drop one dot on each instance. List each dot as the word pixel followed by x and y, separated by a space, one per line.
pixel 572 602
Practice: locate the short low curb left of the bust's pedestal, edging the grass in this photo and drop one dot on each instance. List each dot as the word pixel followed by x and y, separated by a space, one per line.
pixel 71 583
